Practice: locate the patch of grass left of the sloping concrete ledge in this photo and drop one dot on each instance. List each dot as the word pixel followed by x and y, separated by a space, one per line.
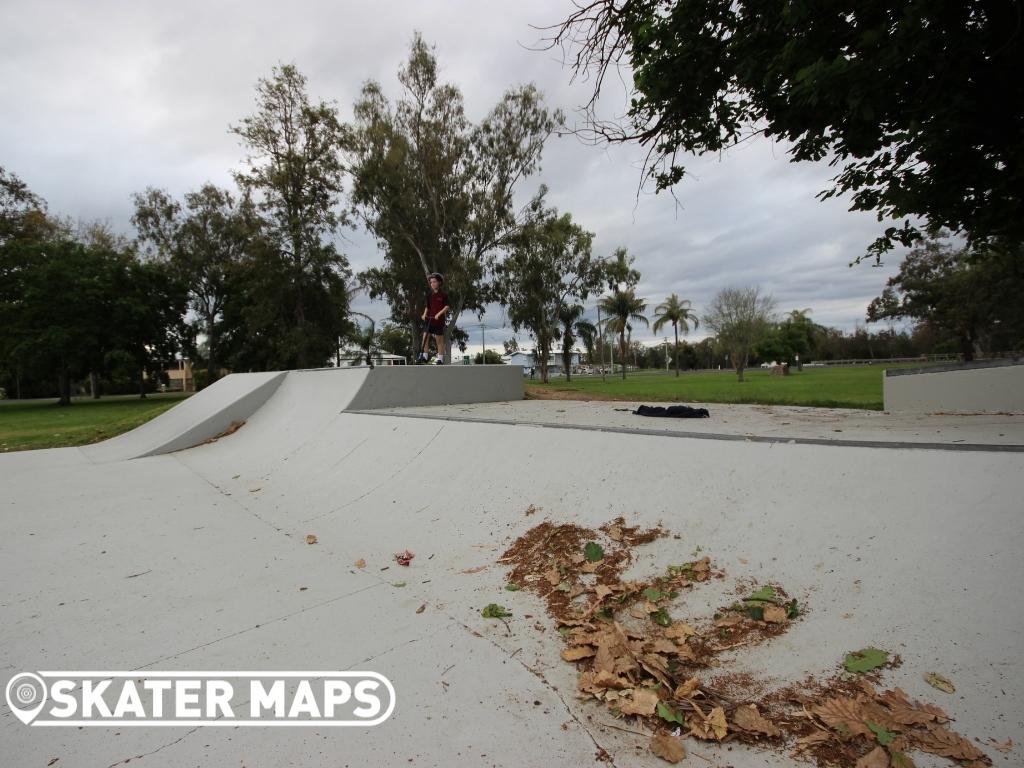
pixel 38 424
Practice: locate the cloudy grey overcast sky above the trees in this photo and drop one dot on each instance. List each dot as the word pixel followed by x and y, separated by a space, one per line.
pixel 102 100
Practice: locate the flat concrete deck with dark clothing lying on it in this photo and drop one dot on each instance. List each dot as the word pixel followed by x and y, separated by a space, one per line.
pixel 772 423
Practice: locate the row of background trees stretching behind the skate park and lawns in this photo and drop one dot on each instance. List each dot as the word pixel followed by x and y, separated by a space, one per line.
pixel 251 279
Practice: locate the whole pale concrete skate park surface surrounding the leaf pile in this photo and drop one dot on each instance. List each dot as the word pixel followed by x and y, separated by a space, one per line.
pixel 273 547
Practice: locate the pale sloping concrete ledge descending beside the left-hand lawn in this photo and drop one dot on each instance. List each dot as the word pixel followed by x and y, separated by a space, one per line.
pixel 201 417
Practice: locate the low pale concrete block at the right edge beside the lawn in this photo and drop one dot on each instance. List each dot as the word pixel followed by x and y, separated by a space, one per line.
pixel 983 390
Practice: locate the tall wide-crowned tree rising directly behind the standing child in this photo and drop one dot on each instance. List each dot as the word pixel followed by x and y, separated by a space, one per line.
pixel 436 190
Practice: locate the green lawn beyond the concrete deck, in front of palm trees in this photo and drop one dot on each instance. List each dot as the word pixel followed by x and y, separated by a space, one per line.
pixel 824 388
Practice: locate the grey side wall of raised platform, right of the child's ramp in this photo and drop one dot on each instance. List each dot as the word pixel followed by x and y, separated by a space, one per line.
pixel 438 386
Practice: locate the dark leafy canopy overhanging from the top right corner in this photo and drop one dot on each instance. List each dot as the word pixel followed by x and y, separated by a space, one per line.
pixel 920 105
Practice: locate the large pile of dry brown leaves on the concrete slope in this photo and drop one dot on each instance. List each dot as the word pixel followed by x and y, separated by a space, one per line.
pixel 641 662
